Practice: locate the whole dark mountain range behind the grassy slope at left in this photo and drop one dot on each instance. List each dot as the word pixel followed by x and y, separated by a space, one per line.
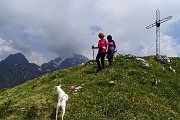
pixel 16 69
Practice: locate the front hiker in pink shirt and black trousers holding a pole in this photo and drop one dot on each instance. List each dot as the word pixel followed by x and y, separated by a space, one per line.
pixel 103 48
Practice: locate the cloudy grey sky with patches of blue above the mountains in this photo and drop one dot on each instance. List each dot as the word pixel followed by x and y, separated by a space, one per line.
pixel 45 29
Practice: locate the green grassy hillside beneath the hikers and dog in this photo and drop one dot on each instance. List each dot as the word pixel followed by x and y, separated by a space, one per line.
pixel 131 97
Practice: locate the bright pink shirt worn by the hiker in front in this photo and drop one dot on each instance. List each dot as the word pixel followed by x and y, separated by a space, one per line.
pixel 103 45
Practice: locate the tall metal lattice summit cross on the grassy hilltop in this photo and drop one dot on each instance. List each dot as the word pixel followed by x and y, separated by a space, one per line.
pixel 157 24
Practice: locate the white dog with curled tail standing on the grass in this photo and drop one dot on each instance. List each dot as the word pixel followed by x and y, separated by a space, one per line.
pixel 62 98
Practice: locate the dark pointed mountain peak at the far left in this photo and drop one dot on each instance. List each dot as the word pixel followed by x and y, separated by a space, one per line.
pixel 16 69
